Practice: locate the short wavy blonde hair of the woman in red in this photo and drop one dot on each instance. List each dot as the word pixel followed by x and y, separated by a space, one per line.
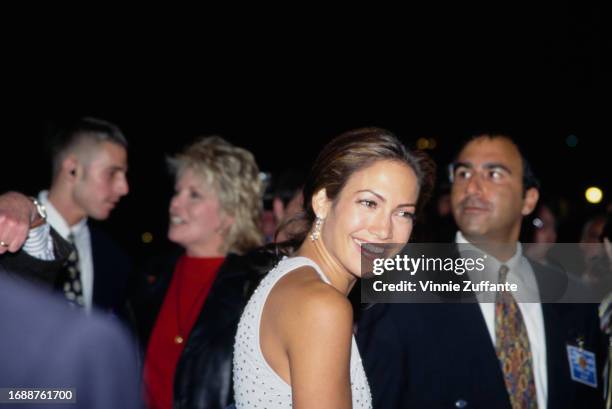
pixel 233 174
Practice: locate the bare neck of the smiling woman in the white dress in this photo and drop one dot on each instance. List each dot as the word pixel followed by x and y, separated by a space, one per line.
pixel 341 279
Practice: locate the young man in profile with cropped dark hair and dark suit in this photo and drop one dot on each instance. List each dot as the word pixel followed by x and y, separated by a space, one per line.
pixel 89 178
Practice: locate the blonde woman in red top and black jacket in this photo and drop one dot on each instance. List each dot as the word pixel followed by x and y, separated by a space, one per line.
pixel 188 317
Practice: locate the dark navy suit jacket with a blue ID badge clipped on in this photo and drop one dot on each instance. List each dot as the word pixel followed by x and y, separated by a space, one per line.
pixel 441 355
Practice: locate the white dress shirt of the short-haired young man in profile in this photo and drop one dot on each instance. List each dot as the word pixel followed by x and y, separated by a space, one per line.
pixel 82 241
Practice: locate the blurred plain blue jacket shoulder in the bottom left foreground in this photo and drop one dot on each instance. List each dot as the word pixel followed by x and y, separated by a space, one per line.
pixel 47 344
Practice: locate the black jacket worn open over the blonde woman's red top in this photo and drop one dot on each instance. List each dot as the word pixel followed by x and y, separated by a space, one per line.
pixel 204 372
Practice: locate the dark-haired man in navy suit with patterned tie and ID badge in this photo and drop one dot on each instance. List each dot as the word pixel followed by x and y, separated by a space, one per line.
pixel 464 355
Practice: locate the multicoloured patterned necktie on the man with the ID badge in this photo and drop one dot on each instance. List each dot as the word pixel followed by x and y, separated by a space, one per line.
pixel 512 346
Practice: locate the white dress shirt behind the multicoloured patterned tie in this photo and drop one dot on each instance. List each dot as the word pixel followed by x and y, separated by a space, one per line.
pixel 520 273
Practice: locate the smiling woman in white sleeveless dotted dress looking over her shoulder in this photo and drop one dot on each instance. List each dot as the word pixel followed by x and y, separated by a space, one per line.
pixel 295 346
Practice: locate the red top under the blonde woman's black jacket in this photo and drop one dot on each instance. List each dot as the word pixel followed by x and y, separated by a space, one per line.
pixel 192 279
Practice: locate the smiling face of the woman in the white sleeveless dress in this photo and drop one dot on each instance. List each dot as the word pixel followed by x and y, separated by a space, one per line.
pixel 376 205
